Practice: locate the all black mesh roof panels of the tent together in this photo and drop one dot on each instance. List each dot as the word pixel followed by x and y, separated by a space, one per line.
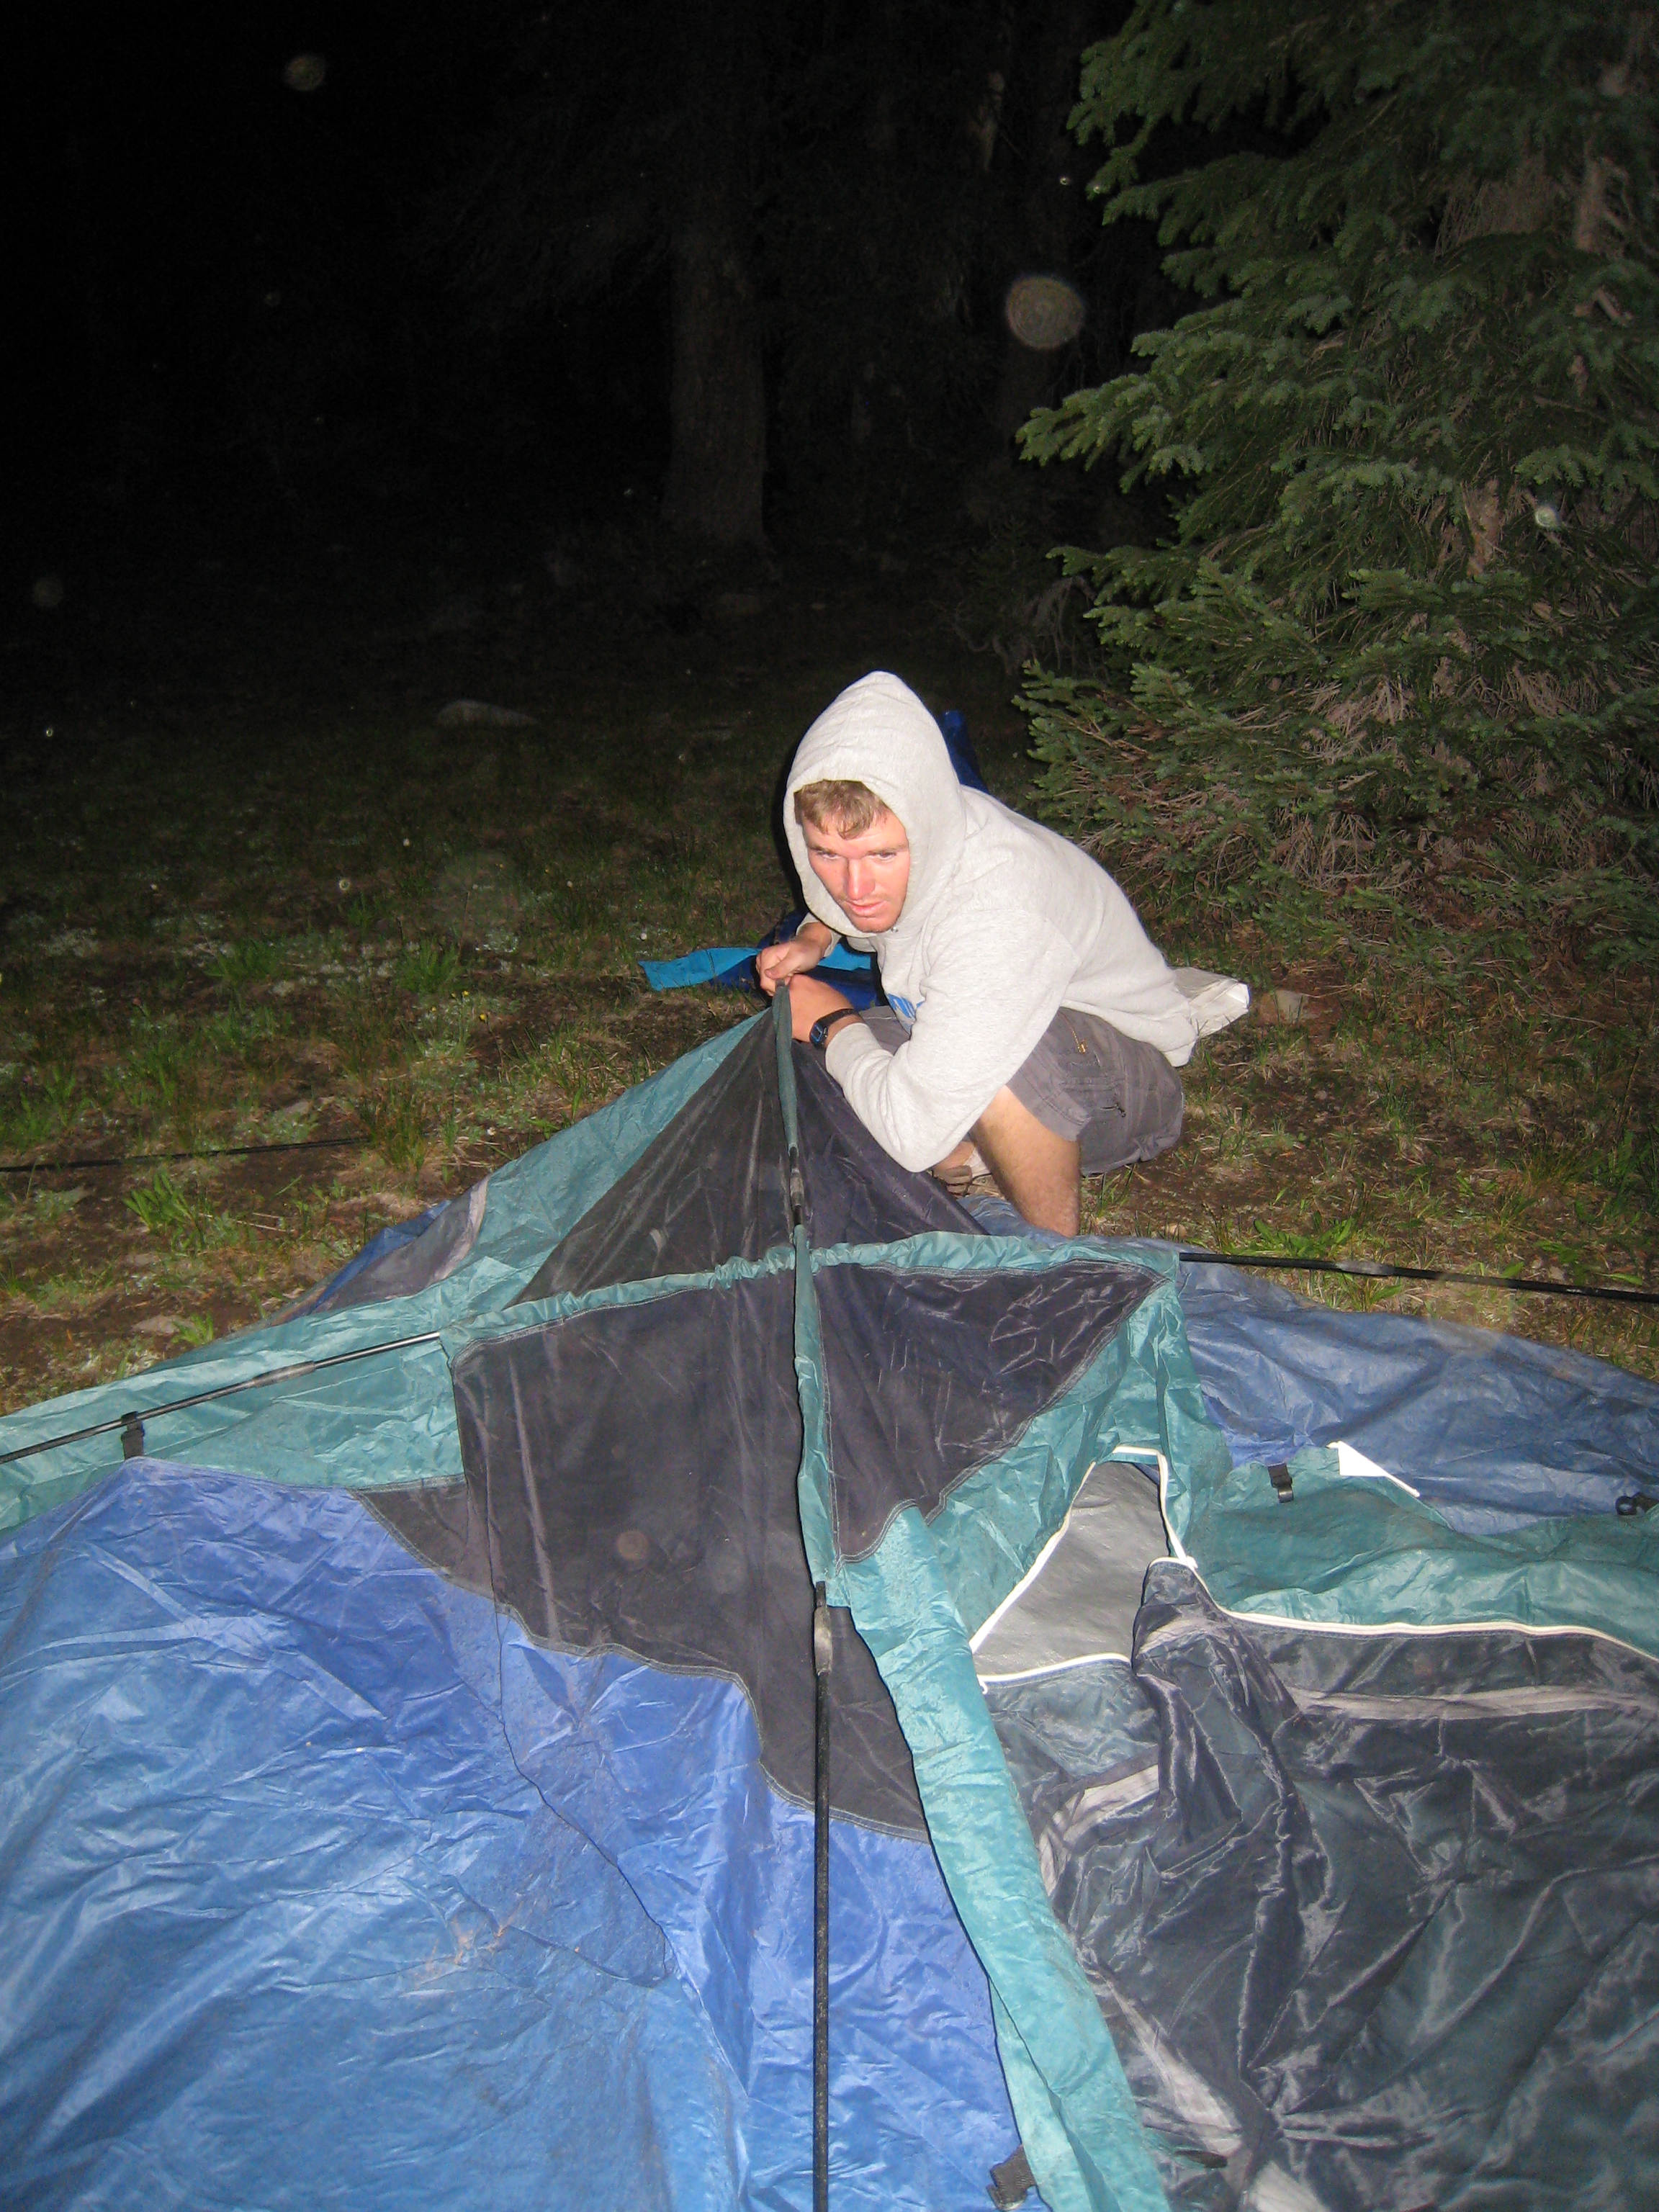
pixel 632 1468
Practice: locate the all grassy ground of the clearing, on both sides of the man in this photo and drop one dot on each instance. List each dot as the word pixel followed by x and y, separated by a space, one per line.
pixel 271 910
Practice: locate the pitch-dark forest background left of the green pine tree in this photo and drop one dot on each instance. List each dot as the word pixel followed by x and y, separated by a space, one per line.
pixel 744 264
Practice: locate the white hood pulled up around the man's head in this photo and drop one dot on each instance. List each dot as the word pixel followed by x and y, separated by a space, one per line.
pixel 881 735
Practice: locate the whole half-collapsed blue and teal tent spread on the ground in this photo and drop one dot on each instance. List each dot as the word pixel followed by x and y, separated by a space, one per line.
pixel 1242 1729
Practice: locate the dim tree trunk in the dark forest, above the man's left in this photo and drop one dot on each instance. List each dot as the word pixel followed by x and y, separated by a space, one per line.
pixel 718 384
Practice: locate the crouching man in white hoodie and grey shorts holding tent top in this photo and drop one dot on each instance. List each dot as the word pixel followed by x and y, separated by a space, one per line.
pixel 1032 1019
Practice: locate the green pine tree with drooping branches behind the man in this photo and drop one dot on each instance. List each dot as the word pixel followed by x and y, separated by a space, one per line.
pixel 1410 435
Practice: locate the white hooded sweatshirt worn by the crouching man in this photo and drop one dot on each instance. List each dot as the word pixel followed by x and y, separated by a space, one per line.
pixel 1003 926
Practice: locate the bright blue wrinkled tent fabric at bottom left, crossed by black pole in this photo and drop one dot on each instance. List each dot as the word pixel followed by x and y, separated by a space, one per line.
pixel 326 1886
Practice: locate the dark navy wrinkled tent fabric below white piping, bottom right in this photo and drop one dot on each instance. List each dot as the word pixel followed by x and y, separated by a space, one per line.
pixel 1373 1917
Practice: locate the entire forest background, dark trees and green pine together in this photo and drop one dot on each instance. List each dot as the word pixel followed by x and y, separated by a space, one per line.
pixel 1348 448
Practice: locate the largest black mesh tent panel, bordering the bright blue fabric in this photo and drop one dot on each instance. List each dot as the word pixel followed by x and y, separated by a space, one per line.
pixel 632 1485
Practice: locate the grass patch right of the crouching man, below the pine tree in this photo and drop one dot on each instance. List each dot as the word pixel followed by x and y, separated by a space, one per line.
pixel 1461 1114
